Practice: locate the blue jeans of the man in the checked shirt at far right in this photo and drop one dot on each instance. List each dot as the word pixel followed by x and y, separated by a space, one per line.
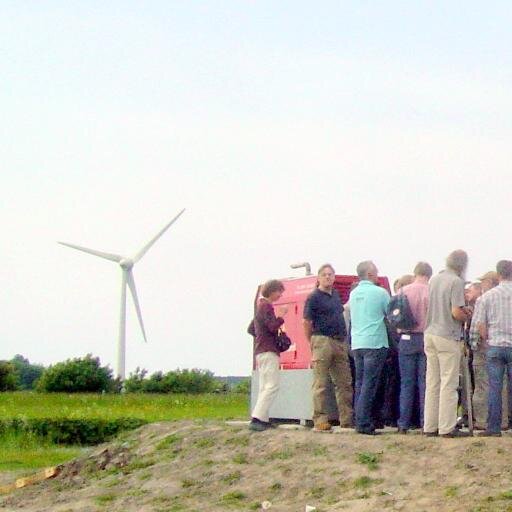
pixel 499 360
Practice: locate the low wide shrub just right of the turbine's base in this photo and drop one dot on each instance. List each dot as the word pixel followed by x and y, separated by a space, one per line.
pixel 178 381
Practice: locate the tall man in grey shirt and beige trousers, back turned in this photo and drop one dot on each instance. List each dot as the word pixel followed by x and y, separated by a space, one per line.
pixel 443 346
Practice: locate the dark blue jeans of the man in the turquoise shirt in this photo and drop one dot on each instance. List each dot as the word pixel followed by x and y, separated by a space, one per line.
pixel 369 363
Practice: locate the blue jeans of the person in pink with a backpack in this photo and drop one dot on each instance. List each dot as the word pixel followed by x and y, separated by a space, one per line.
pixel 413 368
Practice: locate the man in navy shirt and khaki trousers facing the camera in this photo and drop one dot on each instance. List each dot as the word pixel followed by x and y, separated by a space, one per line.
pixel 325 330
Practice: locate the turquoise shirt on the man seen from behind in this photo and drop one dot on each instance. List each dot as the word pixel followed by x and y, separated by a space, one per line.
pixel 368 304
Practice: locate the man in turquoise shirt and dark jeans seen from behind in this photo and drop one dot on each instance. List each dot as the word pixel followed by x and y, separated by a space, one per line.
pixel 368 304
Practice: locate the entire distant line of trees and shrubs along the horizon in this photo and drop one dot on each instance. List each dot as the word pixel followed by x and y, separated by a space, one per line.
pixel 85 374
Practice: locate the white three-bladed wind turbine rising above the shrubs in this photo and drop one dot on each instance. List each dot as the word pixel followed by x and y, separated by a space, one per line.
pixel 126 265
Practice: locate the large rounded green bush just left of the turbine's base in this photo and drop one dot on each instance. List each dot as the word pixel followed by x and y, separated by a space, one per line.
pixel 77 375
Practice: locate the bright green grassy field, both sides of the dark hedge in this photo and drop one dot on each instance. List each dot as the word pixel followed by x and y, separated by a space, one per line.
pixel 27 452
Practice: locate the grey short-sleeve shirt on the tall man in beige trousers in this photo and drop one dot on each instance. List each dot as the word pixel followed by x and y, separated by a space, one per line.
pixel 446 291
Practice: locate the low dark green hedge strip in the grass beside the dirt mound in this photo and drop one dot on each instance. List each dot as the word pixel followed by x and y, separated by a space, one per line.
pixel 71 431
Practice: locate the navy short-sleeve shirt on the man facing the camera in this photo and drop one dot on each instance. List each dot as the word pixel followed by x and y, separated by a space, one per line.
pixel 325 311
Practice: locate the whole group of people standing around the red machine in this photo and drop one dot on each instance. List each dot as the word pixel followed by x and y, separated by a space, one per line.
pixel 369 363
